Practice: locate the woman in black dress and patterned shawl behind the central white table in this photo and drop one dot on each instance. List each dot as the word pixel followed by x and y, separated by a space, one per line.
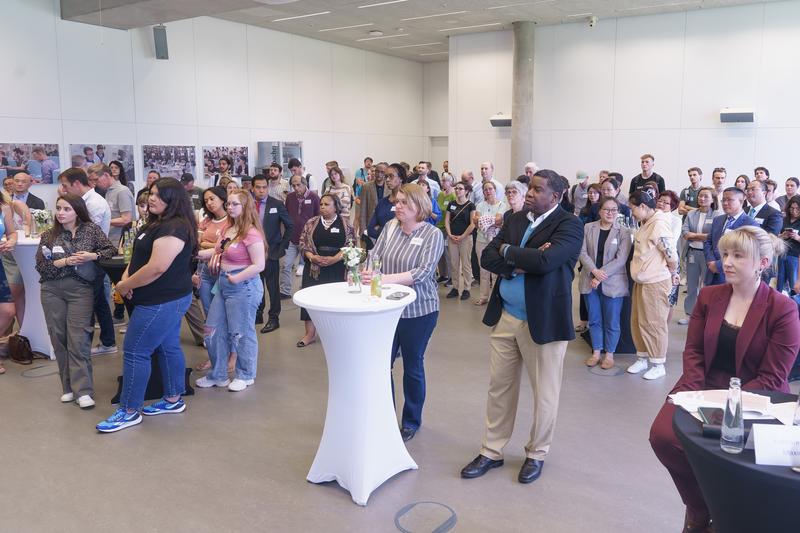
pixel 320 243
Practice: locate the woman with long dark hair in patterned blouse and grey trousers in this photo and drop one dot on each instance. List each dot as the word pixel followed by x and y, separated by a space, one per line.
pixel 65 261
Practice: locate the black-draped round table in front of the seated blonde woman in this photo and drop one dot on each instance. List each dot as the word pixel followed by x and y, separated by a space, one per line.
pixel 741 495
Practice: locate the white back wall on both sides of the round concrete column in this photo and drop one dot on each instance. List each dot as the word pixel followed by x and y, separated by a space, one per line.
pixel 604 96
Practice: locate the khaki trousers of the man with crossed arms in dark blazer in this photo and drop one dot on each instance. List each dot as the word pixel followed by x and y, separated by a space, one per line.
pixel 511 345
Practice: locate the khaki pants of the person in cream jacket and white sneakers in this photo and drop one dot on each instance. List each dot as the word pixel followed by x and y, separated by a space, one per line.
pixel 649 317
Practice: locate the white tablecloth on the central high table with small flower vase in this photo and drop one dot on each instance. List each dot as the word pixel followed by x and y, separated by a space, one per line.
pixel 361 445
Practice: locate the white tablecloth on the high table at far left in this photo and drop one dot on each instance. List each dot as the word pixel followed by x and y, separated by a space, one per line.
pixel 33 325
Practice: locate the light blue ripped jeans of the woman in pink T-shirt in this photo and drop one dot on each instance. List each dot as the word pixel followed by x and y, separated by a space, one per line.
pixel 230 327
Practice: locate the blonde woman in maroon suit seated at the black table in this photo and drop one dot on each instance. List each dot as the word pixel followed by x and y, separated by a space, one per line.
pixel 742 328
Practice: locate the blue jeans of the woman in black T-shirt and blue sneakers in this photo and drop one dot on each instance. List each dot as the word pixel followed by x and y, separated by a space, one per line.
pixel 153 328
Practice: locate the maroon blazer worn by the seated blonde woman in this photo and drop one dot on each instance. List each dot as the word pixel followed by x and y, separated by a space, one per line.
pixel 766 346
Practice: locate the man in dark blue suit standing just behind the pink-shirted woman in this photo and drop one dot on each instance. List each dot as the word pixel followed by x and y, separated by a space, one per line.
pixel 273 215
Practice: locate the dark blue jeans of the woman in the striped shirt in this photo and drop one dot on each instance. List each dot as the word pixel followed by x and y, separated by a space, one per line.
pixel 412 336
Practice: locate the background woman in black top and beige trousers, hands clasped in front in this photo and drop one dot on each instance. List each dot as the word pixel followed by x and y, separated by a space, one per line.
pixel 459 227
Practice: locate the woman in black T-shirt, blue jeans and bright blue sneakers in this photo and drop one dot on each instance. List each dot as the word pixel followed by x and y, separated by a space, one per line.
pixel 158 281
